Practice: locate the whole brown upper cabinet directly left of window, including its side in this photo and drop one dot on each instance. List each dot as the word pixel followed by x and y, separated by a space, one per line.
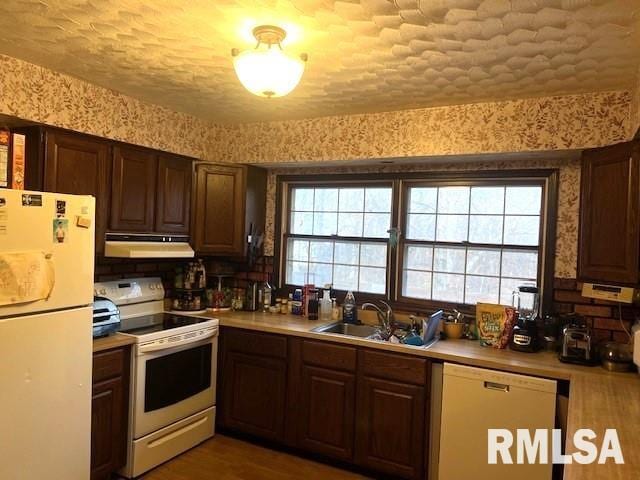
pixel 229 201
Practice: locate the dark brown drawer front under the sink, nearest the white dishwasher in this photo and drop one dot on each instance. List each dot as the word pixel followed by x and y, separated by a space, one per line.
pixel 393 367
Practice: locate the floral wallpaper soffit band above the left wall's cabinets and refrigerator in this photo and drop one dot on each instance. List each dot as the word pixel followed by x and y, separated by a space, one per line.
pixel 37 94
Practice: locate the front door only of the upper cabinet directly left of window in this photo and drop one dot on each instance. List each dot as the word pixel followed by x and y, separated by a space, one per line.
pixel 219 209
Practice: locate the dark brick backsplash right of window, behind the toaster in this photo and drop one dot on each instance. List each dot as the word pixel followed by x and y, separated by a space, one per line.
pixel 601 315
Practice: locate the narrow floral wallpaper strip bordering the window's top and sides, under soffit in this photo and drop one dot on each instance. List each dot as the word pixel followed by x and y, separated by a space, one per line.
pixel 568 196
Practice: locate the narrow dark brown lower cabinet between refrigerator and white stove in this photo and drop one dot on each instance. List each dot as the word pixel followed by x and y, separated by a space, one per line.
pixel 109 412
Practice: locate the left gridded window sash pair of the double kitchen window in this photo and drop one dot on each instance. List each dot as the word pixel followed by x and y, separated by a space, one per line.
pixel 338 235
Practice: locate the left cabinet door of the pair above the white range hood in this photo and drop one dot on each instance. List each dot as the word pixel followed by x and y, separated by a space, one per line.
pixel 133 189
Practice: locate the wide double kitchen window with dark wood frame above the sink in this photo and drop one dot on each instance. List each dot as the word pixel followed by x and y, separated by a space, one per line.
pixel 461 238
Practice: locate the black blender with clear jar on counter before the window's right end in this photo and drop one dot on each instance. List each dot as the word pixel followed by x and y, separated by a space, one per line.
pixel 526 301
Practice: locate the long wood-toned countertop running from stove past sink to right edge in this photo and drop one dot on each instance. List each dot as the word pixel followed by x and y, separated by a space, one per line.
pixel 598 399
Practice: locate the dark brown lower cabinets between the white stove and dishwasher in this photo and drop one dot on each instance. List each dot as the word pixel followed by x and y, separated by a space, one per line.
pixel 360 406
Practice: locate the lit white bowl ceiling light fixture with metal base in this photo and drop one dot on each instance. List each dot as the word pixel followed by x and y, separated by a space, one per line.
pixel 267 71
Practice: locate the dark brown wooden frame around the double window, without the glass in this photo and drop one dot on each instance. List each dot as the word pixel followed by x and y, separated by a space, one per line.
pixel 400 182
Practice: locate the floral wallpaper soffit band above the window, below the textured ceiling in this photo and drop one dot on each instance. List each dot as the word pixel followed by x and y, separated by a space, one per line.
pixel 552 123
